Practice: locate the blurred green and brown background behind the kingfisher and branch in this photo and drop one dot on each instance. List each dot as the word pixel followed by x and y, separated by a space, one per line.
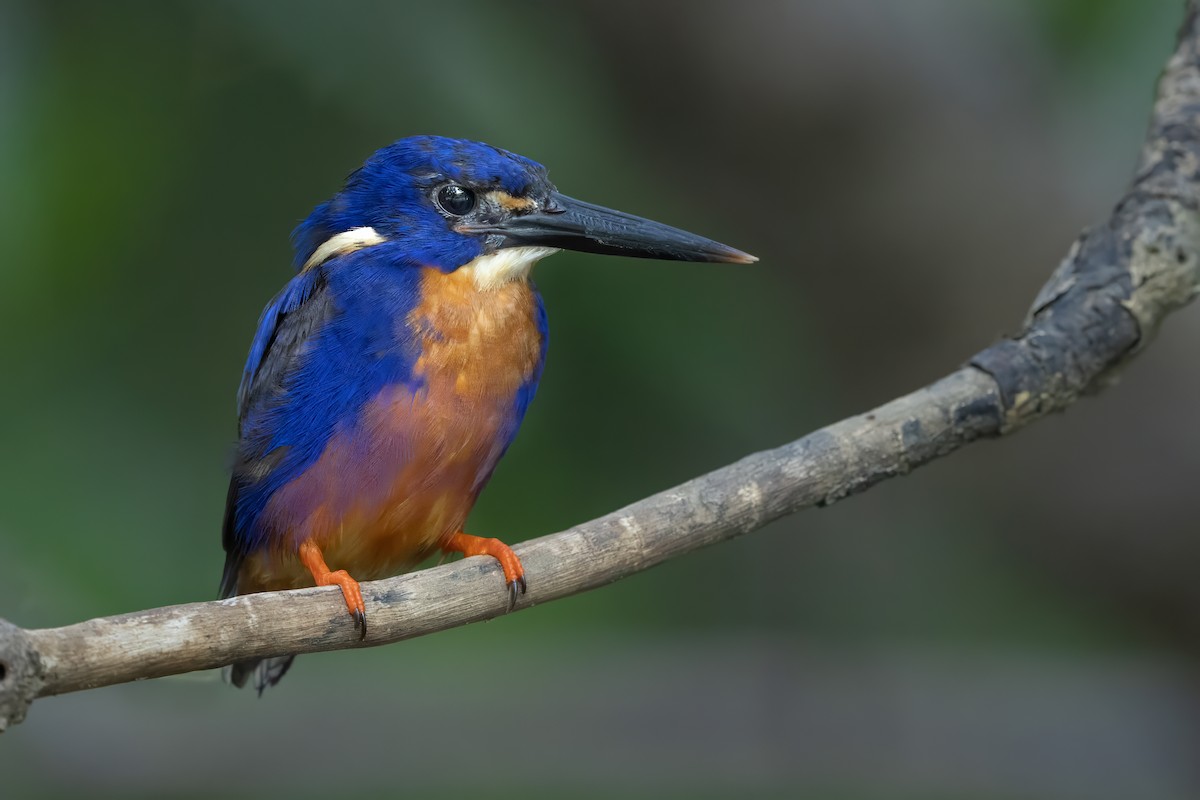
pixel 1019 621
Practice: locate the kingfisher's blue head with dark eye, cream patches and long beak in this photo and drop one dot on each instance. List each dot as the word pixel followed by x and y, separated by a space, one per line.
pixel 455 203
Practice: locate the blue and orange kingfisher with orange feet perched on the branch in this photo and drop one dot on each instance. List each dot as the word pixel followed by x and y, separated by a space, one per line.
pixel 391 375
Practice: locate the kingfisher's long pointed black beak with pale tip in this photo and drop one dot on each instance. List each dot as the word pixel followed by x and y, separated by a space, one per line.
pixel 568 224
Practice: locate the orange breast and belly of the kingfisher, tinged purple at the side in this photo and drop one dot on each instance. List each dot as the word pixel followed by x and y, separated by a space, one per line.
pixel 406 476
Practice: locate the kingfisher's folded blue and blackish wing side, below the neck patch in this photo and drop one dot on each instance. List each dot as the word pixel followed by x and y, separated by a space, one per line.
pixel 326 345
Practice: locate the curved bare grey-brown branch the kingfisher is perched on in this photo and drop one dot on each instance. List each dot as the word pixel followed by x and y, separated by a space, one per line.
pixel 1101 308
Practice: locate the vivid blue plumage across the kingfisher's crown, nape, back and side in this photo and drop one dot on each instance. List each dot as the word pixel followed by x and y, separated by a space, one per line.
pixel 364 294
